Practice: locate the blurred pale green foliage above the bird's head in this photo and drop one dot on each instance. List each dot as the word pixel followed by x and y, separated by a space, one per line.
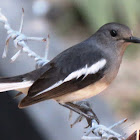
pixel 99 12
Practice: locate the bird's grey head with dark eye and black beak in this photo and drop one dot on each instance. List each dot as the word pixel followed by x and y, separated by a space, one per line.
pixel 115 34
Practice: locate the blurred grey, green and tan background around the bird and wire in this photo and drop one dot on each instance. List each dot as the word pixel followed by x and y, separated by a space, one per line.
pixel 68 22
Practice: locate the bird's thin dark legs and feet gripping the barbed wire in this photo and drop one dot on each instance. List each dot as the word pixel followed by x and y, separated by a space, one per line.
pixel 83 108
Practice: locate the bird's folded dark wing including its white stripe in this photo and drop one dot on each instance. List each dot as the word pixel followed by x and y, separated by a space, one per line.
pixel 71 70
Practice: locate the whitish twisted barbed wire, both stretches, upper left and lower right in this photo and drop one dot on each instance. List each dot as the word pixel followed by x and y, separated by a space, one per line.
pixel 100 132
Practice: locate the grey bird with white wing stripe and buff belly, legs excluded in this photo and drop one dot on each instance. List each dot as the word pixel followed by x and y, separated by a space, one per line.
pixel 79 72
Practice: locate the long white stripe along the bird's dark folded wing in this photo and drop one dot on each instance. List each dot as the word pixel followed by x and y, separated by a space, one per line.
pixel 76 74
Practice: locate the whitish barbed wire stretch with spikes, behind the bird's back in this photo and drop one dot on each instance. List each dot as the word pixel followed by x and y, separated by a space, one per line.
pixel 20 40
